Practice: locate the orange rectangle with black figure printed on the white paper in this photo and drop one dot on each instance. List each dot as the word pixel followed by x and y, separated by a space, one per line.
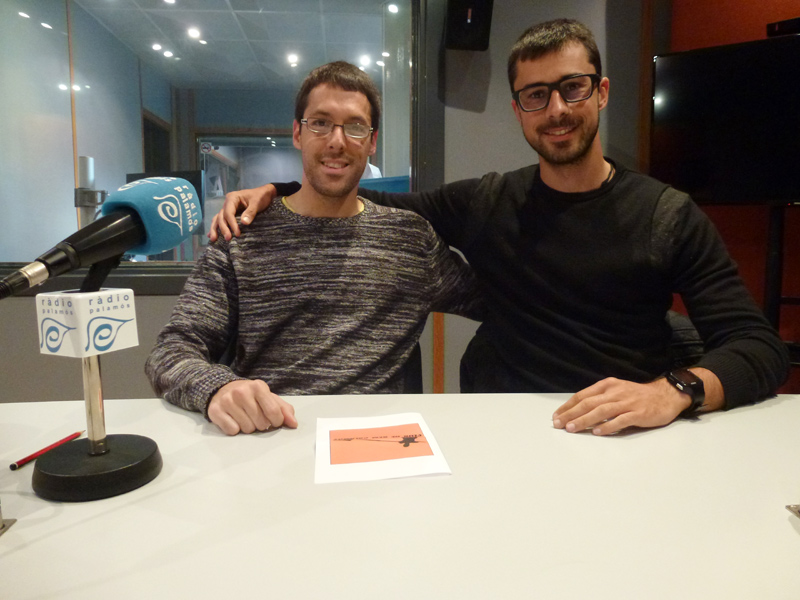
pixel 379 443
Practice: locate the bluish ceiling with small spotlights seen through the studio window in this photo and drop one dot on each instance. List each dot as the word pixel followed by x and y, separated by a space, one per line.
pixel 247 40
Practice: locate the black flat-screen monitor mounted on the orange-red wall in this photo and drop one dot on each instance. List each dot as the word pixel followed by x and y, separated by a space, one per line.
pixel 726 122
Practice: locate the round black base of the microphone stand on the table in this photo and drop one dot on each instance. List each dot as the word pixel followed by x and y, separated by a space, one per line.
pixel 70 474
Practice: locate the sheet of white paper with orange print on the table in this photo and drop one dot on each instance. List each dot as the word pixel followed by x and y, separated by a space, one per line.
pixel 371 448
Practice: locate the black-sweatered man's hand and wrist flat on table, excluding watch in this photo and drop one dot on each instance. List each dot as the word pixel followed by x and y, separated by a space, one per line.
pixel 612 404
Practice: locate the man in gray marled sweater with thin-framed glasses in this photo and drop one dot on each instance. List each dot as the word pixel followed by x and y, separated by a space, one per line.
pixel 326 293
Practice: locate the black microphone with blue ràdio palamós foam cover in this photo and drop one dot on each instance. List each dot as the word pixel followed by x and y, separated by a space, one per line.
pixel 147 216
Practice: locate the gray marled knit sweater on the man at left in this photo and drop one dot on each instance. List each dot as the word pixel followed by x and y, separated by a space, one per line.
pixel 317 305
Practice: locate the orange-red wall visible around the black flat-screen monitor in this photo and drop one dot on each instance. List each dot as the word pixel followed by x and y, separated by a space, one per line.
pixel 704 23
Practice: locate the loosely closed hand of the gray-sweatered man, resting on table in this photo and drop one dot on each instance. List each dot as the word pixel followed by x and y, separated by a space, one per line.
pixel 248 406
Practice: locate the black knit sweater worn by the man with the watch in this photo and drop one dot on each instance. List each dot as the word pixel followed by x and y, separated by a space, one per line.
pixel 578 284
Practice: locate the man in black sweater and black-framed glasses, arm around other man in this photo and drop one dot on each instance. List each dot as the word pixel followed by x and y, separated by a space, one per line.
pixel 579 258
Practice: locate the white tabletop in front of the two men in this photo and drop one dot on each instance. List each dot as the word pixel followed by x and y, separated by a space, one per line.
pixel 692 510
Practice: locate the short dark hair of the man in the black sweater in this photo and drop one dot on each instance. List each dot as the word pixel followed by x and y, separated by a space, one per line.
pixel 552 36
